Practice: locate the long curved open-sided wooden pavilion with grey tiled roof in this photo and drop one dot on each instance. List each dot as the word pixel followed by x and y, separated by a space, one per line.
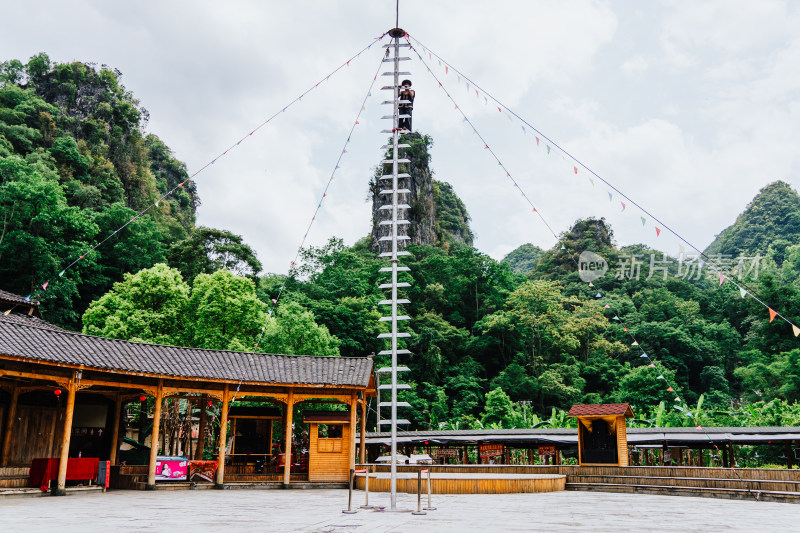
pixel 62 393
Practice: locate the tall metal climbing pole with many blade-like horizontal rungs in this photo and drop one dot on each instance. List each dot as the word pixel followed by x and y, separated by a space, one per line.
pixel 395 239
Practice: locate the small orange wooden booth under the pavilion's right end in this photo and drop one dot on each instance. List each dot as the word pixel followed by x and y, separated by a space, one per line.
pixel 331 445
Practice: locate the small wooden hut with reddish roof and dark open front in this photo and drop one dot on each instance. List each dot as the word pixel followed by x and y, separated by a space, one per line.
pixel 602 433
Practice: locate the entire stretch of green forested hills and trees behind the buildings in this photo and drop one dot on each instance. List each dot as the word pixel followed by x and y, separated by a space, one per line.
pixel 494 343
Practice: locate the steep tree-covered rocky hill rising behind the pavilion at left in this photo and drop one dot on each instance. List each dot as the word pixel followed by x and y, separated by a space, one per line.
pixel 75 165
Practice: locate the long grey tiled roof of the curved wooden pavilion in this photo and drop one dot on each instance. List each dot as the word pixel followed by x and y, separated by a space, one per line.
pixel 65 347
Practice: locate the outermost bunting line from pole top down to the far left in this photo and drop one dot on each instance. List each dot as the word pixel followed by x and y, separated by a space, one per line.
pixel 44 286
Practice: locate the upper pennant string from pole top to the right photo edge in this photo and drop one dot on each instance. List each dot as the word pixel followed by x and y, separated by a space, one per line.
pixel 659 225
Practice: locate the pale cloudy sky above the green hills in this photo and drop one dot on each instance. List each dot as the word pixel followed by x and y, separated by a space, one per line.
pixel 687 107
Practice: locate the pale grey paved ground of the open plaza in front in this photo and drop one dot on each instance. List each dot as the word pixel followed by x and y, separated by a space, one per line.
pixel 320 511
